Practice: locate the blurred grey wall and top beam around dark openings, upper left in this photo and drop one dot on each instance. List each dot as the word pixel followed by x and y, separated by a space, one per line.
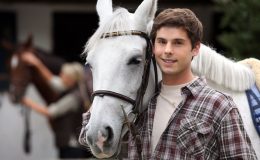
pixel 36 19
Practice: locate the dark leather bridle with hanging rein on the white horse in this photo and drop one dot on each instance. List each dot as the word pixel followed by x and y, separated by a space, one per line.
pixel 138 102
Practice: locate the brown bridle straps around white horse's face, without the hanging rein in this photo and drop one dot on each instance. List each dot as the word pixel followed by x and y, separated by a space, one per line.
pixel 137 103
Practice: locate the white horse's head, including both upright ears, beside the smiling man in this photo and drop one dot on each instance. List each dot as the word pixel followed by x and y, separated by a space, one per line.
pixel 117 58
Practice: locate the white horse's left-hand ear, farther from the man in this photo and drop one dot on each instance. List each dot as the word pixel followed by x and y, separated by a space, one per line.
pixel 104 10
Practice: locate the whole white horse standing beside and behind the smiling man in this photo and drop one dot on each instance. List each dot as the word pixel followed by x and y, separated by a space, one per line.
pixel 117 65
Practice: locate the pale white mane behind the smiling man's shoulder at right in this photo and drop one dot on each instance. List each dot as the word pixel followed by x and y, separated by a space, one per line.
pixel 222 70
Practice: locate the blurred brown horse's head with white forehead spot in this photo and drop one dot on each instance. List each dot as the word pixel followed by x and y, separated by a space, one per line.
pixel 20 73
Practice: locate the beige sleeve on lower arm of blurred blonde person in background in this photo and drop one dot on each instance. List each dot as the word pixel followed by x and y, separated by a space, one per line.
pixel 66 104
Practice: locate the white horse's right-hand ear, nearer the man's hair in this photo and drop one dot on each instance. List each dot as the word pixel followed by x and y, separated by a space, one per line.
pixel 145 13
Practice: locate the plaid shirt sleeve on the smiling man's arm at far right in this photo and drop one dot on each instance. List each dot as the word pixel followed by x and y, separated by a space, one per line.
pixel 234 141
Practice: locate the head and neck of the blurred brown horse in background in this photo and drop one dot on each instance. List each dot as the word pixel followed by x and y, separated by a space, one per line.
pixel 22 74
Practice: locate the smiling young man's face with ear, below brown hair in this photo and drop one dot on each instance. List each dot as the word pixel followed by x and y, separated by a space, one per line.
pixel 173 52
